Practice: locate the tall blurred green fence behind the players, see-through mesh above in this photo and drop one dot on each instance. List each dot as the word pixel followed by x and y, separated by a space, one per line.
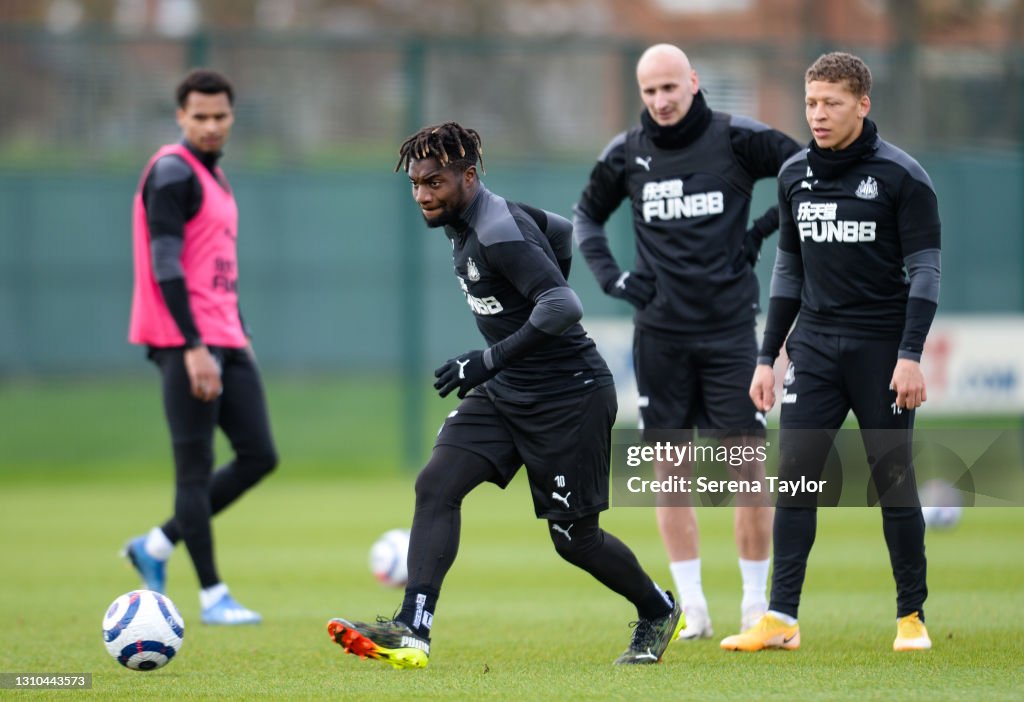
pixel 336 271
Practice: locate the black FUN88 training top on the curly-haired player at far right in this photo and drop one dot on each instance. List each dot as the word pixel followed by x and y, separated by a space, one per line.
pixel 851 225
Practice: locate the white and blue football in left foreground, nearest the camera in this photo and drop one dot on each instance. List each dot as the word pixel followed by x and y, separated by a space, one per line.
pixel 143 630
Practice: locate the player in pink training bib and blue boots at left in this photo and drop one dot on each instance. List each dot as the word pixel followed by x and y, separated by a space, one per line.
pixel 186 313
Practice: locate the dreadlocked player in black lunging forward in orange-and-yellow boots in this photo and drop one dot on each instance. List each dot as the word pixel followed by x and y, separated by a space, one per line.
pixel 539 394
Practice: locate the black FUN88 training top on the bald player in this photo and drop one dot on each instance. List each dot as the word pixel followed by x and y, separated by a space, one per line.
pixel 690 187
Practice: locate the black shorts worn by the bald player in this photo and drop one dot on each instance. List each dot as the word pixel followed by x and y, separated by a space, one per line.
pixel 686 382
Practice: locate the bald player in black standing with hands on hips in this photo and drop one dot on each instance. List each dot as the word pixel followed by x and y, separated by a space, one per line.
pixel 689 173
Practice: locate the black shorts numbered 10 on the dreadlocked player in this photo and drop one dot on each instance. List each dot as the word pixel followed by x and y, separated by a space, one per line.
pixel 565 445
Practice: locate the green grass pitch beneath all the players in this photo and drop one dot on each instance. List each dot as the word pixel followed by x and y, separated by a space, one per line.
pixel 84 468
